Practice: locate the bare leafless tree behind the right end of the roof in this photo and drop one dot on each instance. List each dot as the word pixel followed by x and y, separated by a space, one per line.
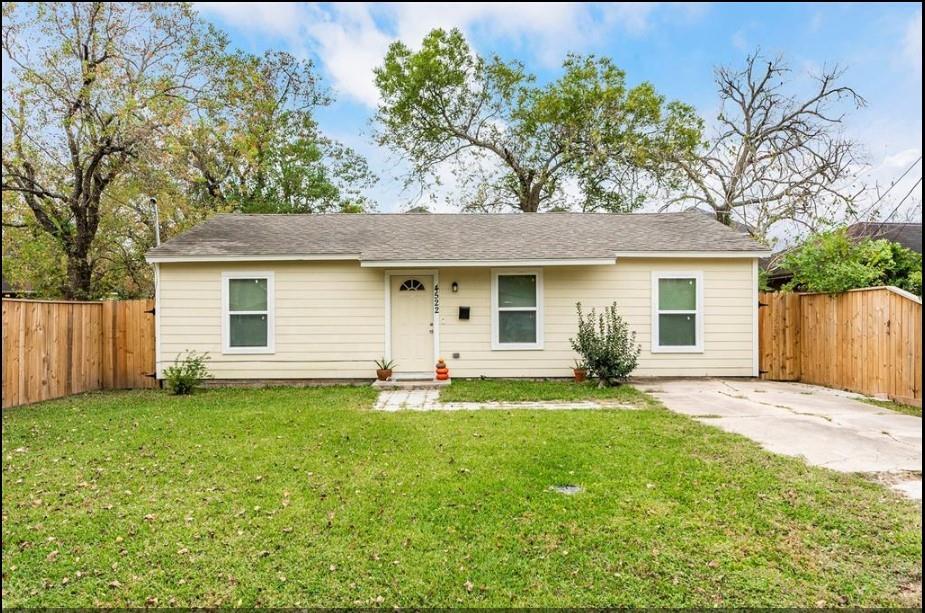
pixel 775 156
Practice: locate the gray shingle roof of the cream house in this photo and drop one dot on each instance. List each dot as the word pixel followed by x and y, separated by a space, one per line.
pixel 380 237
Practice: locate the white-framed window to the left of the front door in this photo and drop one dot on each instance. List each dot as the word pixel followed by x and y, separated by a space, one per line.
pixel 247 312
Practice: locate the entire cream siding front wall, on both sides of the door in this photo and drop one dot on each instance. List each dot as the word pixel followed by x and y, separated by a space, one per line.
pixel 330 319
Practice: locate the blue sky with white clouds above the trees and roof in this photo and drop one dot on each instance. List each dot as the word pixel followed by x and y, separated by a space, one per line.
pixel 674 46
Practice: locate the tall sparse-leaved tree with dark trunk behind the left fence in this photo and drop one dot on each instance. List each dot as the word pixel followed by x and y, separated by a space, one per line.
pixel 92 85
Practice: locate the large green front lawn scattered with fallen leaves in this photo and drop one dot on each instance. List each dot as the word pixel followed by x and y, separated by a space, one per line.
pixel 299 497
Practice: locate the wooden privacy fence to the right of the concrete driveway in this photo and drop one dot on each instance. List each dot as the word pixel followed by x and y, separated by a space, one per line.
pixel 867 341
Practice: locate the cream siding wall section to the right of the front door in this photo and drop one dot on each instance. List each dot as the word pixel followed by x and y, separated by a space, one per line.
pixel 728 303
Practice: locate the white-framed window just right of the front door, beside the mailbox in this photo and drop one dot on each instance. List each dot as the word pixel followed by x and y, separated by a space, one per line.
pixel 517 309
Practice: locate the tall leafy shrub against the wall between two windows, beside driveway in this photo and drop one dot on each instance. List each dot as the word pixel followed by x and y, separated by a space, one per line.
pixel 606 345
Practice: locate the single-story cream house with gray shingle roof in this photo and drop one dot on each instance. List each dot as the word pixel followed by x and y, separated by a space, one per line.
pixel 323 296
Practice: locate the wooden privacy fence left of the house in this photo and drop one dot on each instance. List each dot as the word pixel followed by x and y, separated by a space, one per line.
pixel 57 348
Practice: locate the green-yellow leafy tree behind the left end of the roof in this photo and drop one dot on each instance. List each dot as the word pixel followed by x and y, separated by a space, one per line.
pixel 256 147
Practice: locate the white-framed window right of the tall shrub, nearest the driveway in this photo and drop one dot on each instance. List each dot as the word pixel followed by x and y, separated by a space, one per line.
pixel 677 312
